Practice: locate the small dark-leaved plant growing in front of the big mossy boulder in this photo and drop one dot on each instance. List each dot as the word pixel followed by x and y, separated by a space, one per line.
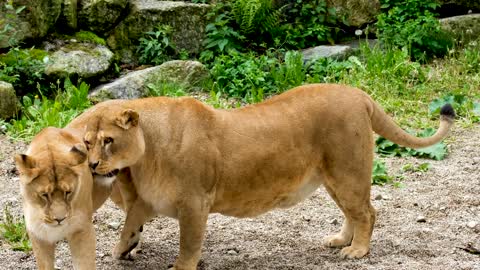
pixel 156 46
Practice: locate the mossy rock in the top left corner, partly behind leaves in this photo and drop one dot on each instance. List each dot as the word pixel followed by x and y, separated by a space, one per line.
pixel 32 22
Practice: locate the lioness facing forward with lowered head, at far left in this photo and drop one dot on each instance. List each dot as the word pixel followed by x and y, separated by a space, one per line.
pixel 56 185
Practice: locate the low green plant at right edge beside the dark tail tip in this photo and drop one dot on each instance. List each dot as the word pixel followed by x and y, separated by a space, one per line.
pixel 464 106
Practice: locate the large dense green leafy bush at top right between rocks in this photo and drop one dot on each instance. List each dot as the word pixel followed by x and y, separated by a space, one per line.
pixel 412 24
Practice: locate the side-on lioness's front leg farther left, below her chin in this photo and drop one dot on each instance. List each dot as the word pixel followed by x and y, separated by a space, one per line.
pixel 138 214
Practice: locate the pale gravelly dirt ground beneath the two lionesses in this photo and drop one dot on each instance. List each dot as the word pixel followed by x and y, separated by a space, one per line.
pixel 448 196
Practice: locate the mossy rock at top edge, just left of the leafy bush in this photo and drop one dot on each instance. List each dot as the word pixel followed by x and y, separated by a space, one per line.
pixel 357 12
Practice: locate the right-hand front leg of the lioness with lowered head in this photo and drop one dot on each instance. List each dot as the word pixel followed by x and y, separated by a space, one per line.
pixel 82 245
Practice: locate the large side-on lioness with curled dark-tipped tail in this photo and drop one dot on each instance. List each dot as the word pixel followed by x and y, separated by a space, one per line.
pixel 188 160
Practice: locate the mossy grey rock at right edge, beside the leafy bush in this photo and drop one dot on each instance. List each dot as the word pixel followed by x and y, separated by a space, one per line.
pixel 465 27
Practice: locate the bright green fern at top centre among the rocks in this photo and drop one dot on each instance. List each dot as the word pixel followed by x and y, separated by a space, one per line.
pixel 256 15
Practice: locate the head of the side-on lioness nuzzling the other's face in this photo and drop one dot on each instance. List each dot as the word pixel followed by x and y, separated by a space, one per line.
pixel 114 141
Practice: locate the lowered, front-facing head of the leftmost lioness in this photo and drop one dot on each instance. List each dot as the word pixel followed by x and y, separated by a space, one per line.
pixel 51 175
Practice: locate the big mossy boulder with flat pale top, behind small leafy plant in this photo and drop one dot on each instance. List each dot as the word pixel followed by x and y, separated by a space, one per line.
pixel 187 20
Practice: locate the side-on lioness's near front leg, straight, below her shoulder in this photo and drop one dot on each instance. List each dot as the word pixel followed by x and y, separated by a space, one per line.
pixel 192 218
